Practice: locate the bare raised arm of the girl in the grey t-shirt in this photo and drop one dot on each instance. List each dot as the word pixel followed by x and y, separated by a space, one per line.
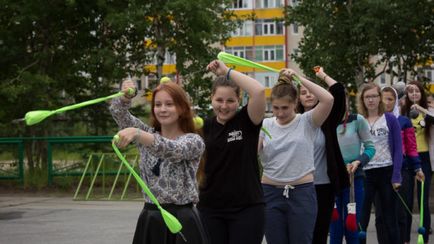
pixel 325 99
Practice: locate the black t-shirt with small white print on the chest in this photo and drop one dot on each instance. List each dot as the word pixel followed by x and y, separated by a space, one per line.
pixel 231 167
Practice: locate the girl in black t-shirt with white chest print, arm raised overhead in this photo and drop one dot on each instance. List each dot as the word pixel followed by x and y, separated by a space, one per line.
pixel 230 196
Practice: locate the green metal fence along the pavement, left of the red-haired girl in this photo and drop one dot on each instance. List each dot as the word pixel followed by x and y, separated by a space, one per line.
pixel 80 157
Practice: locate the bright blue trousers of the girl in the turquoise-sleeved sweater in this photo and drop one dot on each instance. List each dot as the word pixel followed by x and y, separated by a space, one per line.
pixel 337 228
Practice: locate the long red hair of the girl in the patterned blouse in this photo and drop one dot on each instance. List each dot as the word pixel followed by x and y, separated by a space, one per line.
pixel 182 104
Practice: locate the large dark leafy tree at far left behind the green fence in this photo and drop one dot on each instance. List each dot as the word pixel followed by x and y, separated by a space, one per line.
pixel 60 52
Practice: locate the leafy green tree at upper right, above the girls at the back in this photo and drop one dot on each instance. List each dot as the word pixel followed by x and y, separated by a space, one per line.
pixel 343 36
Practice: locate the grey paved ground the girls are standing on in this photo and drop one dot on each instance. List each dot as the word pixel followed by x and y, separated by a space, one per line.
pixel 53 220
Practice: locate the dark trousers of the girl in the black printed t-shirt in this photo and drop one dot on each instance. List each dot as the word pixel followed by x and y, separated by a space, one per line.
pixel 243 225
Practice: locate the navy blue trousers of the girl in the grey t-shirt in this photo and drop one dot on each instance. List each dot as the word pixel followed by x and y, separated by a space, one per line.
pixel 290 219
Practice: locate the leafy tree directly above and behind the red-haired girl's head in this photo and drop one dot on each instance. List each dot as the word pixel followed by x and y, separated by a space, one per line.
pixel 189 30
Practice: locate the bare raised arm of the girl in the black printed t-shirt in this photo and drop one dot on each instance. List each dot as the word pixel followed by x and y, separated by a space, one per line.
pixel 255 90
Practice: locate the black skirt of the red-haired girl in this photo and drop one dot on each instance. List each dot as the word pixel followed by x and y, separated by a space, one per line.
pixel 151 228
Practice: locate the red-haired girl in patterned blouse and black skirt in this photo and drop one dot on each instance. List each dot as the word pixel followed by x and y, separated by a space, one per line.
pixel 170 152
